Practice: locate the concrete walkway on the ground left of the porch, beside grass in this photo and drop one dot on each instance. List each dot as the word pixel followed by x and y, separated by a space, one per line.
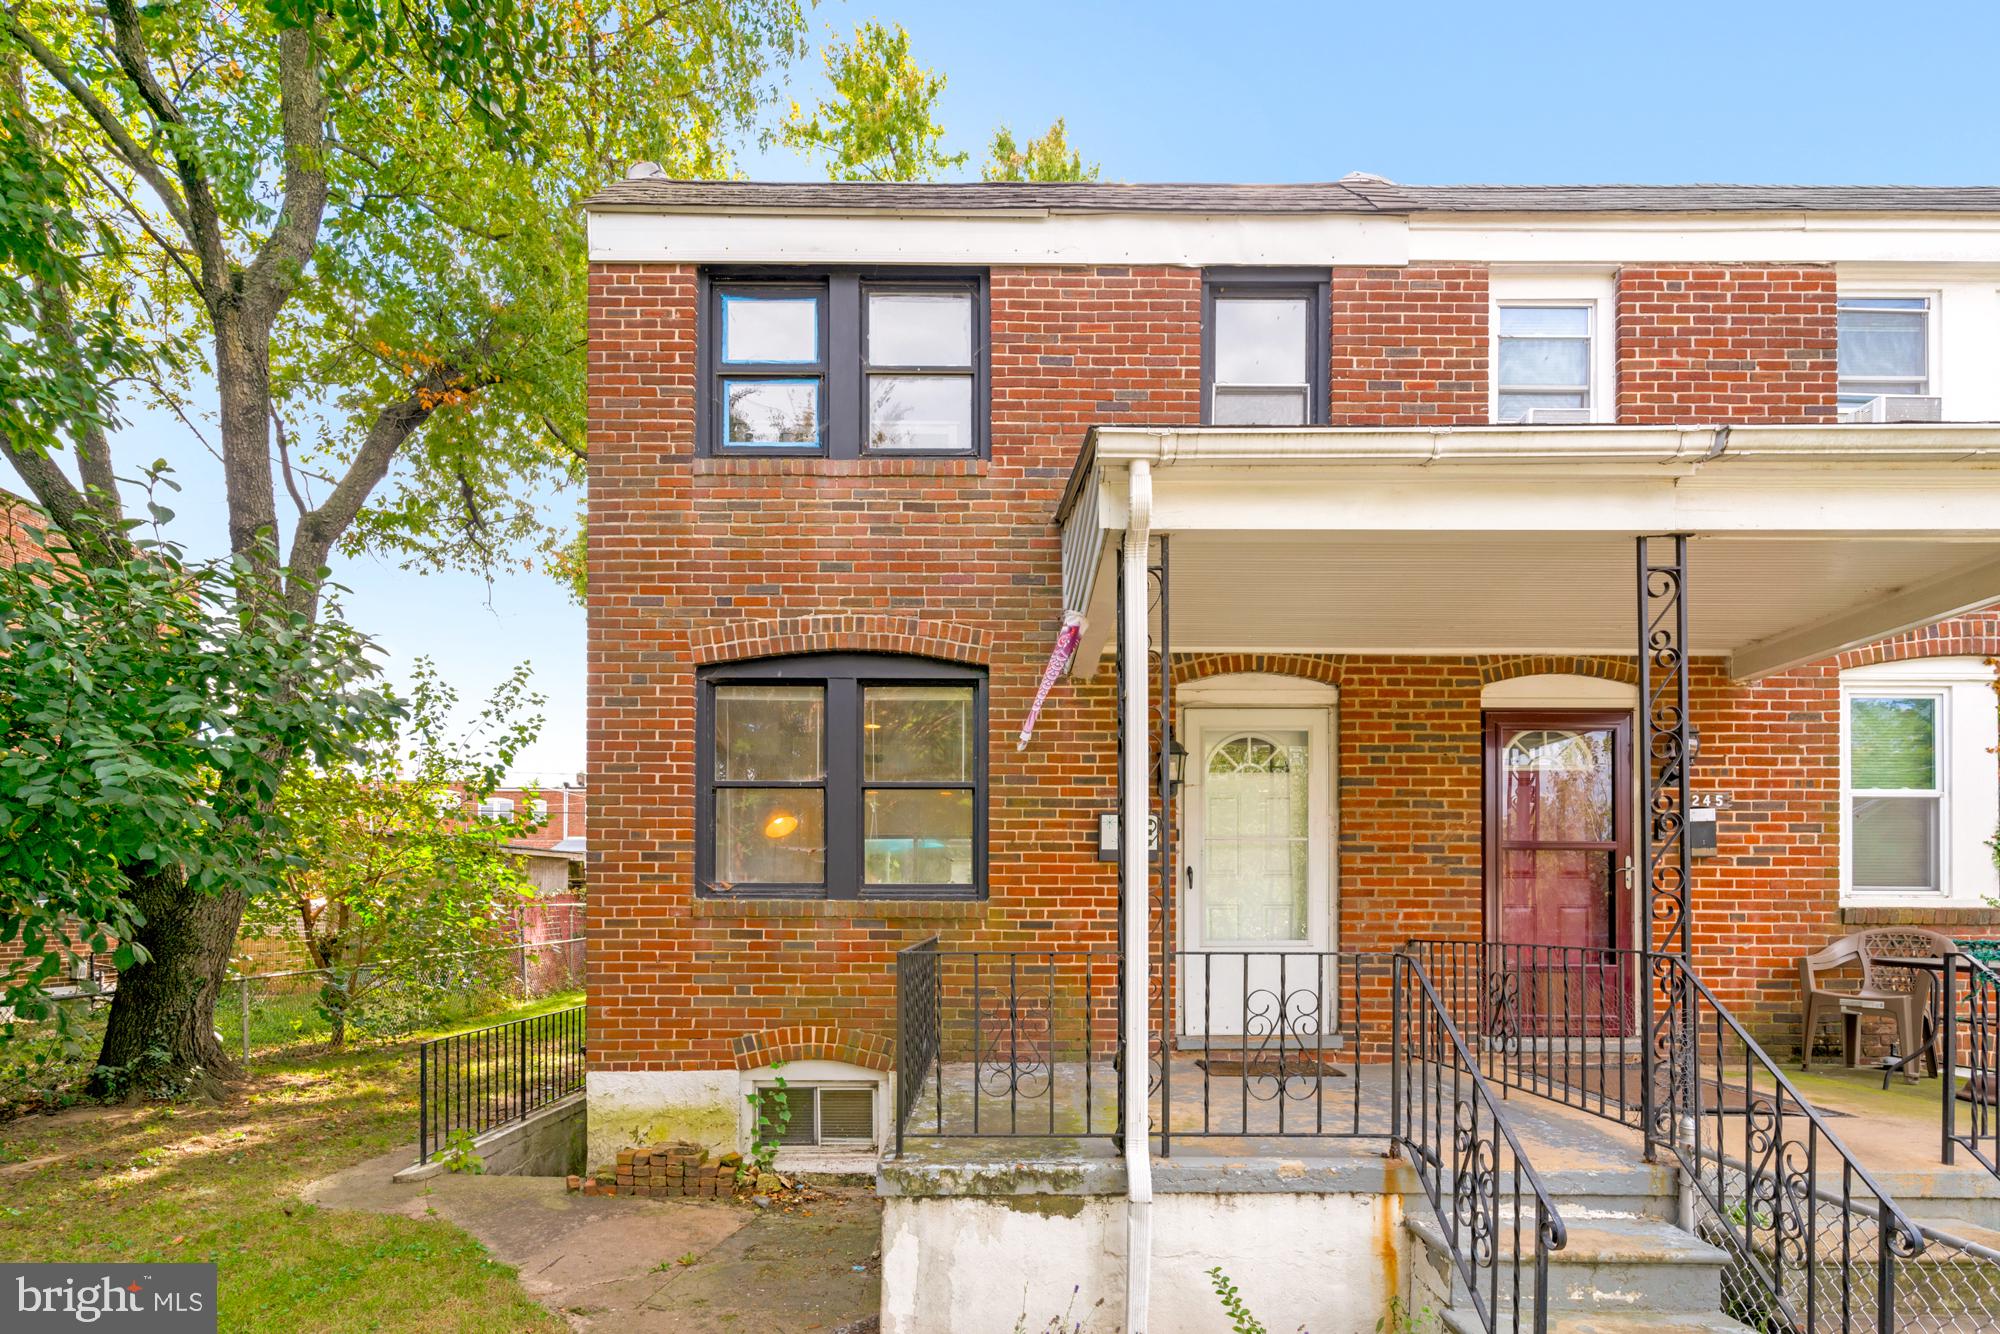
pixel 617 1265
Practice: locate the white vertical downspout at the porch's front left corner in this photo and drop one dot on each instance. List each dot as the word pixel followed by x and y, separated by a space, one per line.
pixel 1137 873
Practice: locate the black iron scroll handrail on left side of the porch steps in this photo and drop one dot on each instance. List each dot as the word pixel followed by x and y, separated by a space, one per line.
pixel 1479 1179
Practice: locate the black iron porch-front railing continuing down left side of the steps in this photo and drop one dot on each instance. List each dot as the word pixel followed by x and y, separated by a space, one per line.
pixel 1023 1045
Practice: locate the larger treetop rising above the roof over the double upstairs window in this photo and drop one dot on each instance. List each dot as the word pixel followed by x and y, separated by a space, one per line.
pixel 881 119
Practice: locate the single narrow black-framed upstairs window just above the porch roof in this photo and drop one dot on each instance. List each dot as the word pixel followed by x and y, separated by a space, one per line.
pixel 1265 349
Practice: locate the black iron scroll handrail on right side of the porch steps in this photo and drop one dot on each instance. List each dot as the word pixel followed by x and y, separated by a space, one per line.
pixel 1813 1241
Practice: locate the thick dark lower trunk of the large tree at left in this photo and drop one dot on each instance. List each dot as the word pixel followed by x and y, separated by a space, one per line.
pixel 163 1023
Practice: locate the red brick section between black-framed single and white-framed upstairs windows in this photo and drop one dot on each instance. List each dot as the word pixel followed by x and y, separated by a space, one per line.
pixel 1411 347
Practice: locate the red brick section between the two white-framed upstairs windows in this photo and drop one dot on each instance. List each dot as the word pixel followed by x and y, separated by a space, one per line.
pixel 1727 345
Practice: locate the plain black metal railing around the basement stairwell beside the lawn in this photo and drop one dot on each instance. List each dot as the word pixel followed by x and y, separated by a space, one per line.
pixel 485 1079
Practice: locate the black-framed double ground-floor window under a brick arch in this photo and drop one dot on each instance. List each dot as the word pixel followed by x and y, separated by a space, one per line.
pixel 841 777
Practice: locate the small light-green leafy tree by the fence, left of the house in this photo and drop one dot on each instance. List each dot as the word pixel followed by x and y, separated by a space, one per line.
pixel 391 877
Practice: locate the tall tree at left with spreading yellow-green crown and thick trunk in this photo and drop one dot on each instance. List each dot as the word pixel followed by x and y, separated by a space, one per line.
pixel 345 239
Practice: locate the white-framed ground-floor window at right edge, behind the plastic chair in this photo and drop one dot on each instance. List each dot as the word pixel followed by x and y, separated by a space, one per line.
pixel 1919 787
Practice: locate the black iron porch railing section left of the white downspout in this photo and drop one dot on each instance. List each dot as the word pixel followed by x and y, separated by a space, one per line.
pixel 1007 1043
